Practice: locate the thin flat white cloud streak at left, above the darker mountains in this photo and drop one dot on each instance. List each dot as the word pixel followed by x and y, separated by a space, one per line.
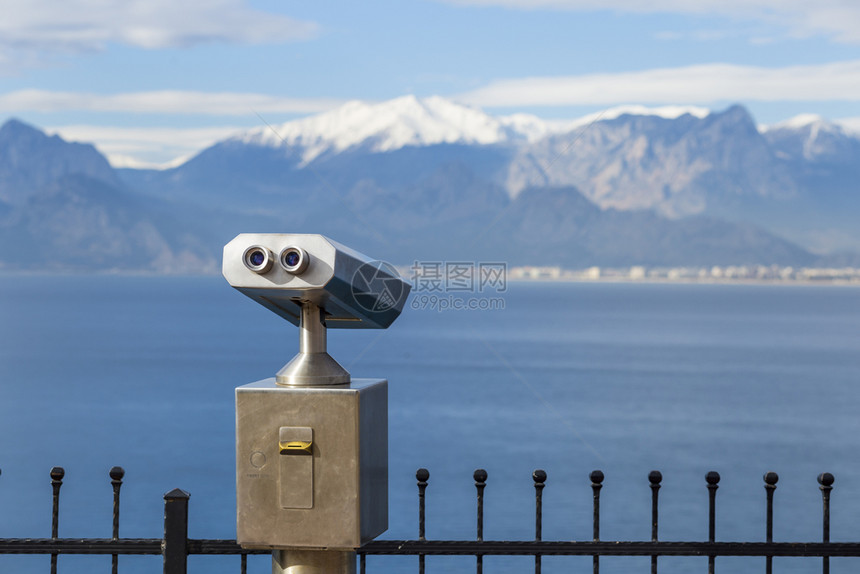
pixel 161 102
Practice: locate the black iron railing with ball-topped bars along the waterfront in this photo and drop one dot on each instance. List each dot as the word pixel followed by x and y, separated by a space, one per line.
pixel 175 546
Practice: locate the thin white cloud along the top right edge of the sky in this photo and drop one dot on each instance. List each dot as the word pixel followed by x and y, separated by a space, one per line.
pixel 838 19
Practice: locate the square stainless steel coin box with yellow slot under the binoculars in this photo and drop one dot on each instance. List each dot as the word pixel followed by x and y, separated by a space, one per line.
pixel 311 464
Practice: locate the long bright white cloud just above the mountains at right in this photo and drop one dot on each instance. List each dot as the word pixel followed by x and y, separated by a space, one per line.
pixel 701 84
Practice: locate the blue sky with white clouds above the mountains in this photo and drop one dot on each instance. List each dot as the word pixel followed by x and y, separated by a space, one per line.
pixel 150 80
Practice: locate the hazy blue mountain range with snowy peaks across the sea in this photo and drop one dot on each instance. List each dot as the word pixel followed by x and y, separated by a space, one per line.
pixel 429 179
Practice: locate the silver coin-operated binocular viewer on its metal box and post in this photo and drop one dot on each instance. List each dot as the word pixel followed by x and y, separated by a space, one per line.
pixel 311 442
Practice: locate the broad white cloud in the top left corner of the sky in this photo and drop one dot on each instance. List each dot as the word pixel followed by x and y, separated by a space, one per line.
pixel 61 26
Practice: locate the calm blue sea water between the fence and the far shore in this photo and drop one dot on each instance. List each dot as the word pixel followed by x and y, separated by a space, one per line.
pixel 626 378
